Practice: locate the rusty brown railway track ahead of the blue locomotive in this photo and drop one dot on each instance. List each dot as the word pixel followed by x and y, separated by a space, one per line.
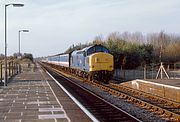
pixel 163 107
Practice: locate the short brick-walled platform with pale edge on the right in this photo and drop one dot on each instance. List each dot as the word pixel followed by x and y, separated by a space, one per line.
pixel 166 88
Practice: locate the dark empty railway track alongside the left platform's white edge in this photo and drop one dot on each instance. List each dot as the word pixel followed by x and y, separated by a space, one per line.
pixel 101 109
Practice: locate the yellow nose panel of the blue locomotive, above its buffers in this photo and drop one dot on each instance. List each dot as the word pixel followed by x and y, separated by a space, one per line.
pixel 101 61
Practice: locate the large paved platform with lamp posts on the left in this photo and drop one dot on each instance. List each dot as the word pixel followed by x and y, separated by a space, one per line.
pixel 33 96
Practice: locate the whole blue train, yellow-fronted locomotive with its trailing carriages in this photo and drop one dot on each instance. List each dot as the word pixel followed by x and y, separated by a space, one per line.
pixel 93 62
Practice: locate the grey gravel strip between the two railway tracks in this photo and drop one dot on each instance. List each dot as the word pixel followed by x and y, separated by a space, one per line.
pixel 138 112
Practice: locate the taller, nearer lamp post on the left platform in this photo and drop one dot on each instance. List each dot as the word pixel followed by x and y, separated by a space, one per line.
pixel 5 38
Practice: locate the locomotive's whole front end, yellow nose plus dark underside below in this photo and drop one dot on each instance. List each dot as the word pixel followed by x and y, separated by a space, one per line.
pixel 101 66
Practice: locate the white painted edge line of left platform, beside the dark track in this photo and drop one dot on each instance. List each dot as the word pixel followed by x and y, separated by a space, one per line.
pixel 75 100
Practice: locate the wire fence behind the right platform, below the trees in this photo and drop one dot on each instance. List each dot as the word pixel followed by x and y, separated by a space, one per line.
pixel 147 72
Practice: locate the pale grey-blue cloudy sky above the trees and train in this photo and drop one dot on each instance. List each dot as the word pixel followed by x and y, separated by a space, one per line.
pixel 55 25
